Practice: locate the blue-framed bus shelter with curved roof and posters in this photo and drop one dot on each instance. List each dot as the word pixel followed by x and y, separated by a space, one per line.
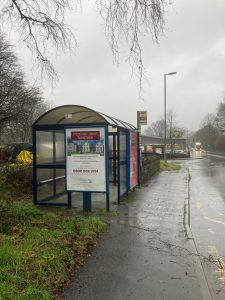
pixel 79 150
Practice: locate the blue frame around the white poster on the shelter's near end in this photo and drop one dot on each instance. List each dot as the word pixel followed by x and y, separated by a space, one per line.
pixel 105 127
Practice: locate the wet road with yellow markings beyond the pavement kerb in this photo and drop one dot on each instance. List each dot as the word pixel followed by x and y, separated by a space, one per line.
pixel 207 203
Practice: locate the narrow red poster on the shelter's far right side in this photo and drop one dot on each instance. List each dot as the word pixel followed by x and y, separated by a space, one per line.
pixel 133 159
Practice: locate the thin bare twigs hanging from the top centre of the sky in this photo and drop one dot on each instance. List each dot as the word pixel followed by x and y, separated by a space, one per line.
pixel 129 20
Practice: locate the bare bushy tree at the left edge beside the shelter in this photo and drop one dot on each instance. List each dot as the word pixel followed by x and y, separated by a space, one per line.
pixel 20 104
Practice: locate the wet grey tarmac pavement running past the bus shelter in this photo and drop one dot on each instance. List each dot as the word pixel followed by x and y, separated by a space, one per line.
pixel 145 253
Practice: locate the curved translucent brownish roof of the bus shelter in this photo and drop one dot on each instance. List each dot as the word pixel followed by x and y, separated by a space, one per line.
pixel 76 114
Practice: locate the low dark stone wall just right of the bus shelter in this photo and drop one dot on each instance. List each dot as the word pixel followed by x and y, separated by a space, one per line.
pixel 150 166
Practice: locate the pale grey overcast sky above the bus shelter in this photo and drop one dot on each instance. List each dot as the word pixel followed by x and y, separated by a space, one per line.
pixel 193 45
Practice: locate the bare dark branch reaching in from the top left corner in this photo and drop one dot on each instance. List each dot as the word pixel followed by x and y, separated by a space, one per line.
pixel 41 26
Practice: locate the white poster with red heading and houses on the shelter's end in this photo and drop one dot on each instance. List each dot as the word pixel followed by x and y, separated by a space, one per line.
pixel 85 159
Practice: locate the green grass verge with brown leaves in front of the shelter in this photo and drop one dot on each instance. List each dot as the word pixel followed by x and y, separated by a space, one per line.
pixel 39 251
